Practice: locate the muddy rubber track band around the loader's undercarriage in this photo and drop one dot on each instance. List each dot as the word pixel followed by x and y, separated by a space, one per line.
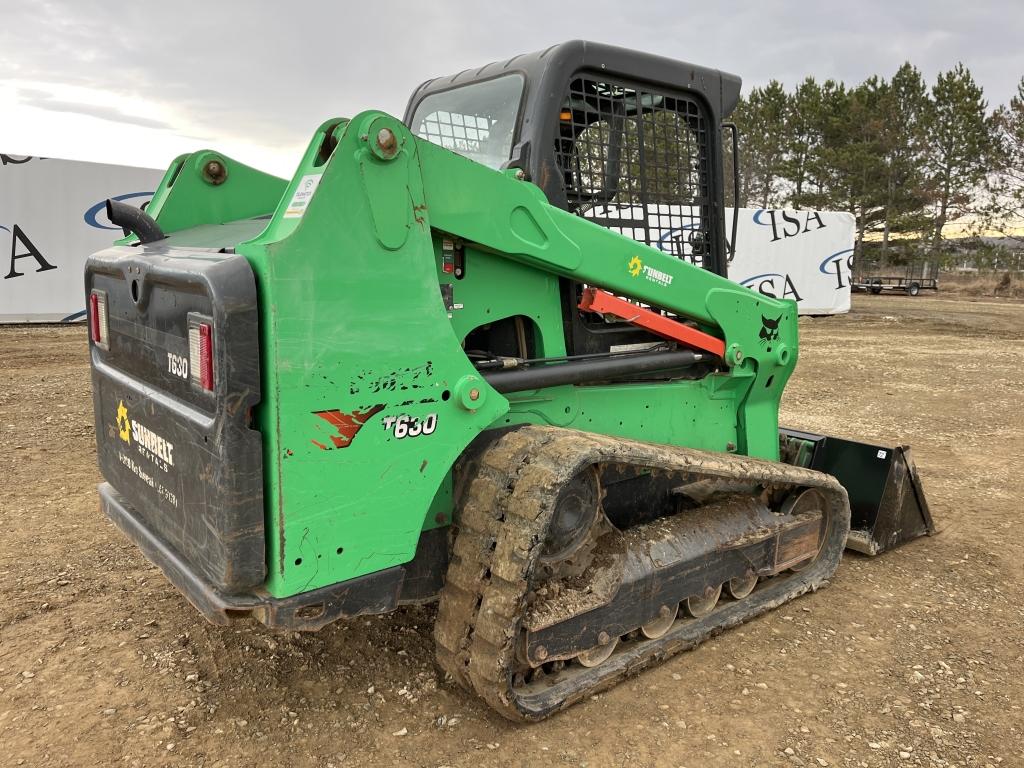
pixel 504 516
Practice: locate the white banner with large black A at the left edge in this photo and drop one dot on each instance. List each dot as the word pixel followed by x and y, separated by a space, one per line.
pixel 52 220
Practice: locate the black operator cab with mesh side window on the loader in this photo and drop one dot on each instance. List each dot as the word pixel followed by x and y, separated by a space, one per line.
pixel 629 141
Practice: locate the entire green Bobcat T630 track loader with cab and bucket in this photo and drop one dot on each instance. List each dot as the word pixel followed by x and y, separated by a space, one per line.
pixel 487 355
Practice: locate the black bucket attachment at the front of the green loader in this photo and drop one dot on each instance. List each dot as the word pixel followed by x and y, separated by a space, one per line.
pixel 887 502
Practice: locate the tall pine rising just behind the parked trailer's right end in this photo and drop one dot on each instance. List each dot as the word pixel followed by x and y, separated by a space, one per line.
pixel 960 147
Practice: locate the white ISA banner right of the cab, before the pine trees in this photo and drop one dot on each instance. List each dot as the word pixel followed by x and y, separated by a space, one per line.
pixel 802 255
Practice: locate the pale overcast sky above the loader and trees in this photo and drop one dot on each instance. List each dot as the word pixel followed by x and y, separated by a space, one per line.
pixel 139 83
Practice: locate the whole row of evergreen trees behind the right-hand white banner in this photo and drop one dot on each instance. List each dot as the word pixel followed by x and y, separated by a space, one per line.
pixel 904 158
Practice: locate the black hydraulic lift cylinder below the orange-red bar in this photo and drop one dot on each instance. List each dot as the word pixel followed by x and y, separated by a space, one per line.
pixel 591 371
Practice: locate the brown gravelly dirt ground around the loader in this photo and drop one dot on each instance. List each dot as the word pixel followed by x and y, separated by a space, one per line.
pixel 911 659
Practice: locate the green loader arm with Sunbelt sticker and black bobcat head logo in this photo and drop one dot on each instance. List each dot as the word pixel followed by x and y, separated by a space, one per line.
pixel 523 226
